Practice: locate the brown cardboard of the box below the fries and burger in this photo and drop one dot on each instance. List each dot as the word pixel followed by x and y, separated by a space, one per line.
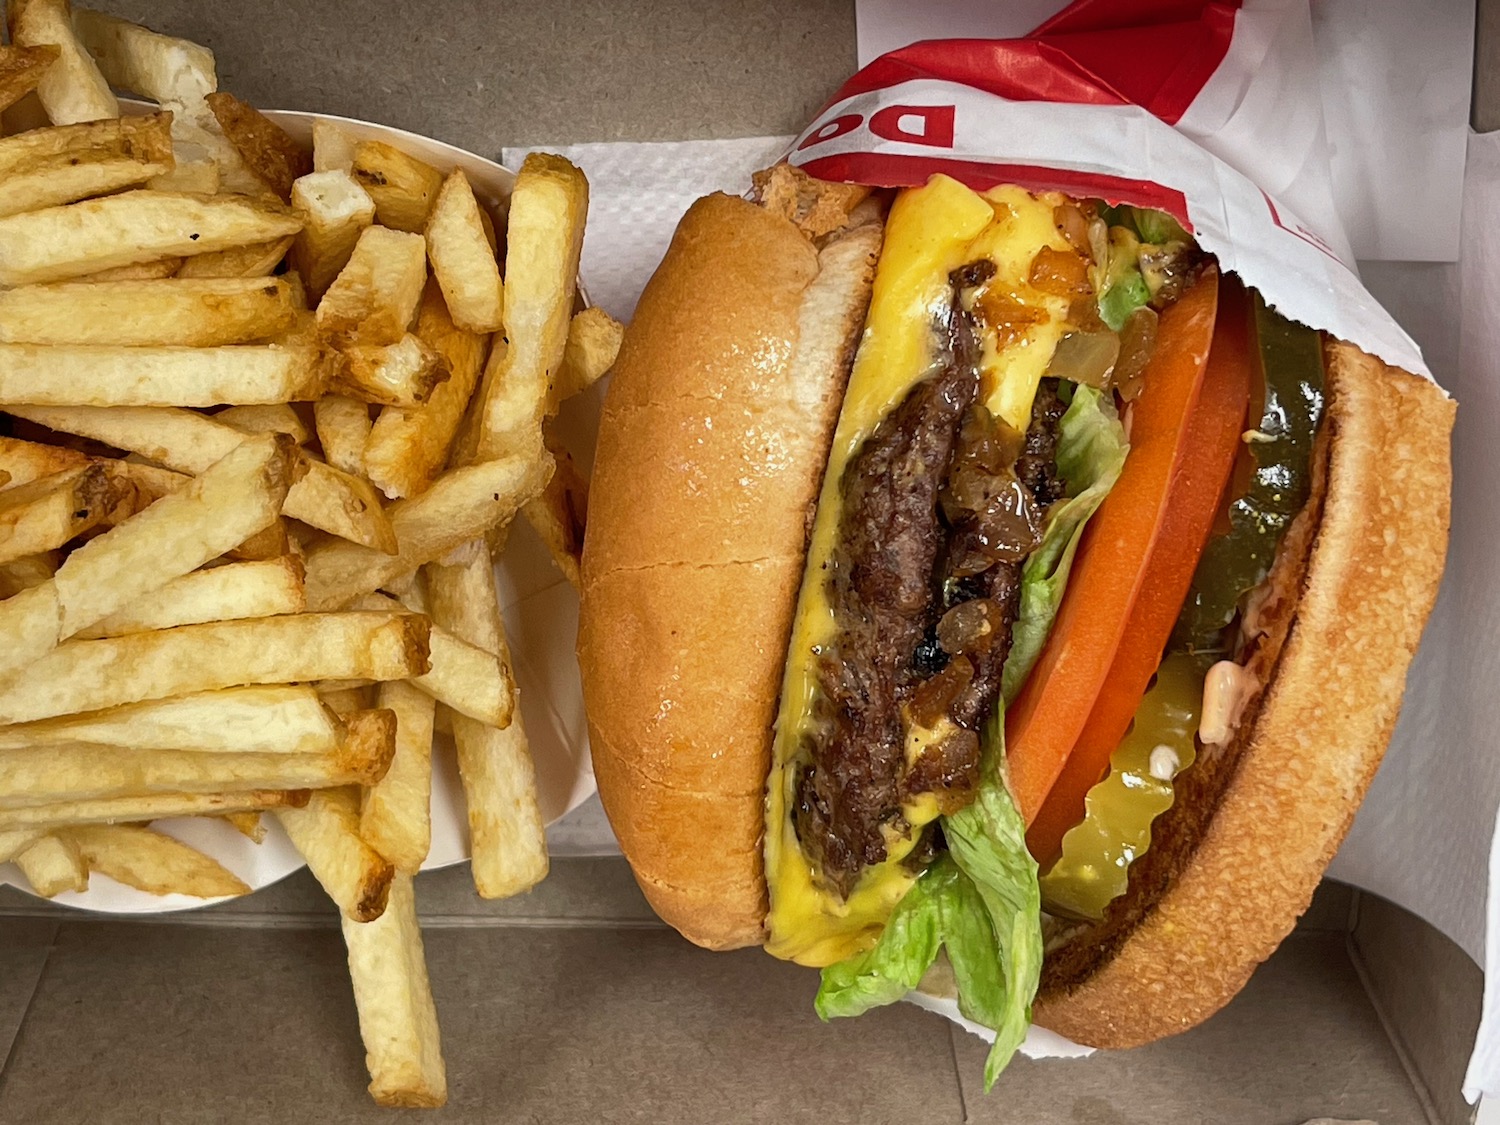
pixel 572 1004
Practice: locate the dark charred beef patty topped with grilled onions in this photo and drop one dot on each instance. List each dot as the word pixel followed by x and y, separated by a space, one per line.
pixel 941 506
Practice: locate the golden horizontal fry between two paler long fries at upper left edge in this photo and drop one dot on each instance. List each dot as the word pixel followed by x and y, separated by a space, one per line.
pixel 145 314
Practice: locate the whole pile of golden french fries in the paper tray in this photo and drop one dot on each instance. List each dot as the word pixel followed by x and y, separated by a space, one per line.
pixel 268 413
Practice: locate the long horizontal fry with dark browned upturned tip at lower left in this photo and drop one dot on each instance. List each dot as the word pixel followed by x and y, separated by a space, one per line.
pixel 56 775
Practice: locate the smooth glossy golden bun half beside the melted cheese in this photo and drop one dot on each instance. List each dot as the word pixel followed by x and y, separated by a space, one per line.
pixel 712 449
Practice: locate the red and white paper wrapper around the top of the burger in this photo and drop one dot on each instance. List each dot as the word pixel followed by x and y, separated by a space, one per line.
pixel 1132 103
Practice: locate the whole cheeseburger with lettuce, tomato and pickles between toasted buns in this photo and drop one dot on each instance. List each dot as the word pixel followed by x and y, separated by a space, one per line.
pixel 986 595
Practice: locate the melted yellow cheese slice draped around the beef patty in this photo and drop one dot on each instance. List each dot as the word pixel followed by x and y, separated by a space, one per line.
pixel 931 232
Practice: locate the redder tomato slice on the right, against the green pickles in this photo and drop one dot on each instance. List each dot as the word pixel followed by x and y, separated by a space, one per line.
pixel 1195 494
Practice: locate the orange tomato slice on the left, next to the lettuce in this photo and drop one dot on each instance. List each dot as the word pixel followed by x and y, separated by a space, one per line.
pixel 1109 578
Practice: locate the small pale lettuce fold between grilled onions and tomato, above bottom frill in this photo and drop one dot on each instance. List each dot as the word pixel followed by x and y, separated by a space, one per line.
pixel 1091 454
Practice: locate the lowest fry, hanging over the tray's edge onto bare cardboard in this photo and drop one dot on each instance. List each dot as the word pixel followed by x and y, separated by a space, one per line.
pixel 398 1019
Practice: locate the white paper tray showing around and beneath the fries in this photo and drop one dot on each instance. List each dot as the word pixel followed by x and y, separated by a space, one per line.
pixel 541 623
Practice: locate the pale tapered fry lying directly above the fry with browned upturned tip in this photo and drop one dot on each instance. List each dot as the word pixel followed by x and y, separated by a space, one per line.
pixel 281 719
